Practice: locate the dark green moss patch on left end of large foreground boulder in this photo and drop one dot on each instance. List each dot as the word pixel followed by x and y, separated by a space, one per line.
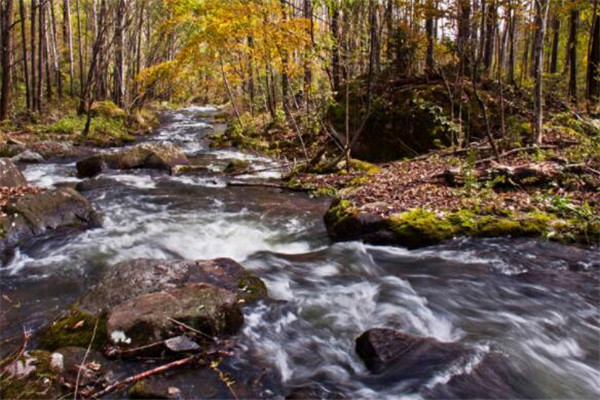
pixel 75 329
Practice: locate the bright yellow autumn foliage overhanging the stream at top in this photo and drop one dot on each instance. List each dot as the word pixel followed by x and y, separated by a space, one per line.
pixel 222 37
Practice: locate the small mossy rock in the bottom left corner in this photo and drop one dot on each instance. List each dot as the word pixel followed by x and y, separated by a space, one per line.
pixel 41 383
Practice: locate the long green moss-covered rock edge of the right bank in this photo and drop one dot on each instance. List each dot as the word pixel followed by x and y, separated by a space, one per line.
pixel 419 227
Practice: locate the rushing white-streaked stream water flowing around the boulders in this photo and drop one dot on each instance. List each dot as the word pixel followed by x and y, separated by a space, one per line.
pixel 534 303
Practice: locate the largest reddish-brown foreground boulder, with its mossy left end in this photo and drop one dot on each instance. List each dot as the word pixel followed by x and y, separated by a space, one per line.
pixel 136 302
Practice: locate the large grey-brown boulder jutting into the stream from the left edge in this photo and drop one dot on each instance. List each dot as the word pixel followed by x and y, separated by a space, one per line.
pixel 37 213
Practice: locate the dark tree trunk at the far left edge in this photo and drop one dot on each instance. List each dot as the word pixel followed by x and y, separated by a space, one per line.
pixel 7 59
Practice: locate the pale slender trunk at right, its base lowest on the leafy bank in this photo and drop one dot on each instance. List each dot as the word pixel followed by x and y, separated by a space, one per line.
pixel 541 17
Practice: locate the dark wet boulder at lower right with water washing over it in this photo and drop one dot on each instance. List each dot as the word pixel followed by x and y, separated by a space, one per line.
pixel 441 370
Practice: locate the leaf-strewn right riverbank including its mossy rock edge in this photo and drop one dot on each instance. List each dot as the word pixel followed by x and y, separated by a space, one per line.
pixel 549 192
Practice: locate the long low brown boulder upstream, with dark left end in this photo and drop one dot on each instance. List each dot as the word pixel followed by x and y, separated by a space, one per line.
pixel 146 155
